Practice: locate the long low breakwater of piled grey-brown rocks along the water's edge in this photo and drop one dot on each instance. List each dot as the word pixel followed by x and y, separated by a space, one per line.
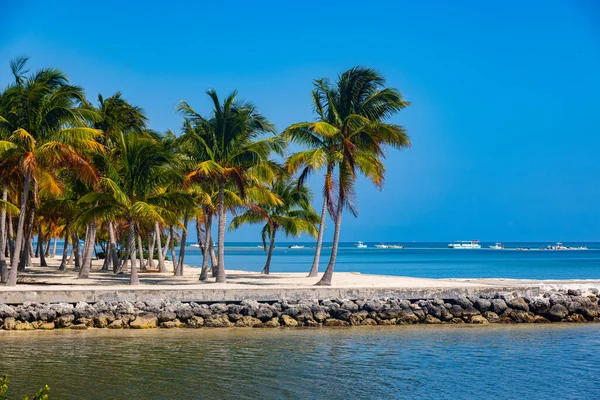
pixel 554 306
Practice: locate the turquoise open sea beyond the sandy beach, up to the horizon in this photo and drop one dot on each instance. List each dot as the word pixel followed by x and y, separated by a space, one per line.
pixel 428 260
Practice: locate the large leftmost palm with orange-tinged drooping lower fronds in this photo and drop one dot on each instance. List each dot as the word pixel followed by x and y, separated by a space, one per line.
pixel 48 120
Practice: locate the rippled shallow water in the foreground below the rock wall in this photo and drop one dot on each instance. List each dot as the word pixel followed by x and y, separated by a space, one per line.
pixel 509 362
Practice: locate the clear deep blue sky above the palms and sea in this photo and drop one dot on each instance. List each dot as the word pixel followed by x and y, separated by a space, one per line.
pixel 505 119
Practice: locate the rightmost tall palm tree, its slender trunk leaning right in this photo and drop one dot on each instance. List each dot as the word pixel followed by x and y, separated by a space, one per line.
pixel 352 115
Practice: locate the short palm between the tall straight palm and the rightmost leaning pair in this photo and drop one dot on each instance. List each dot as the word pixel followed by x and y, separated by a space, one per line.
pixel 294 215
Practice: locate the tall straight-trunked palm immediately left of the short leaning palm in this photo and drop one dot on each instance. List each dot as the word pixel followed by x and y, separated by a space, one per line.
pixel 228 142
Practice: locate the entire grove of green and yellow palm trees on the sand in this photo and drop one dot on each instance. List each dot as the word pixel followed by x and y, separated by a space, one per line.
pixel 70 169
